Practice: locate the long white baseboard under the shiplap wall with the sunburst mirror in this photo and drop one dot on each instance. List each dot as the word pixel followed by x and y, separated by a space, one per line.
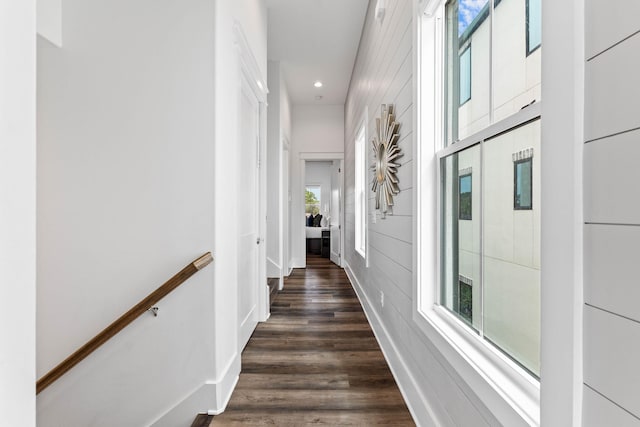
pixel 418 405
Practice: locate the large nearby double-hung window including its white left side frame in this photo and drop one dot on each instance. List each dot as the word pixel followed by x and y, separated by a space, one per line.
pixel 481 63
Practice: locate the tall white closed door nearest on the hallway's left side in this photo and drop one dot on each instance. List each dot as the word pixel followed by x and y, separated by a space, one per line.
pixel 248 213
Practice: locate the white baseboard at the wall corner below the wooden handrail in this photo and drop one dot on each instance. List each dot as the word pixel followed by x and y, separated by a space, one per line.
pixel 211 397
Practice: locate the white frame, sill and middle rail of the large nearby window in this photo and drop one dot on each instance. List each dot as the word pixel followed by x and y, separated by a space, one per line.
pixel 511 393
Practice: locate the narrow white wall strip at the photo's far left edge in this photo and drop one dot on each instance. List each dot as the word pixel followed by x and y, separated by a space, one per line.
pixel 17 215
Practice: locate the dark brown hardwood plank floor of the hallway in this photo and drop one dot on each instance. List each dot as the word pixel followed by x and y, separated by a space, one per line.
pixel 316 361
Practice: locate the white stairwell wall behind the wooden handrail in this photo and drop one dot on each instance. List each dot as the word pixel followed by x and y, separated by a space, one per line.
pixel 132 186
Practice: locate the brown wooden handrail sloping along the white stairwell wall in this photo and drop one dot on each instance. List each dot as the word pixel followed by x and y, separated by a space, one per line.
pixel 123 321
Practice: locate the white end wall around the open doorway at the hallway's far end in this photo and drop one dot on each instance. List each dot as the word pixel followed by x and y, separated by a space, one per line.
pixel 317 130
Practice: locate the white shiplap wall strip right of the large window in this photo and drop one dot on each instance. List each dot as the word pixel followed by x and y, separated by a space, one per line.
pixel 612 214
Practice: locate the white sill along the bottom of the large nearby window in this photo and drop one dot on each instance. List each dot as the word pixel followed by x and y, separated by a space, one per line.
pixel 510 393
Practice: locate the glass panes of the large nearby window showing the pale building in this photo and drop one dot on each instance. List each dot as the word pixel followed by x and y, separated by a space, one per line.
pixel 498 249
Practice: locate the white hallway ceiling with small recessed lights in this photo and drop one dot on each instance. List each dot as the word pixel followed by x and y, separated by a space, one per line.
pixel 315 40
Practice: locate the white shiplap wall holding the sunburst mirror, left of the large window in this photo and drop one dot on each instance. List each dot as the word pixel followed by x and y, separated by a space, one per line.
pixel 382 74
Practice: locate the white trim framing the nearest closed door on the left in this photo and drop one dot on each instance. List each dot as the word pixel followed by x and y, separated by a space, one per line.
pixel 249 67
